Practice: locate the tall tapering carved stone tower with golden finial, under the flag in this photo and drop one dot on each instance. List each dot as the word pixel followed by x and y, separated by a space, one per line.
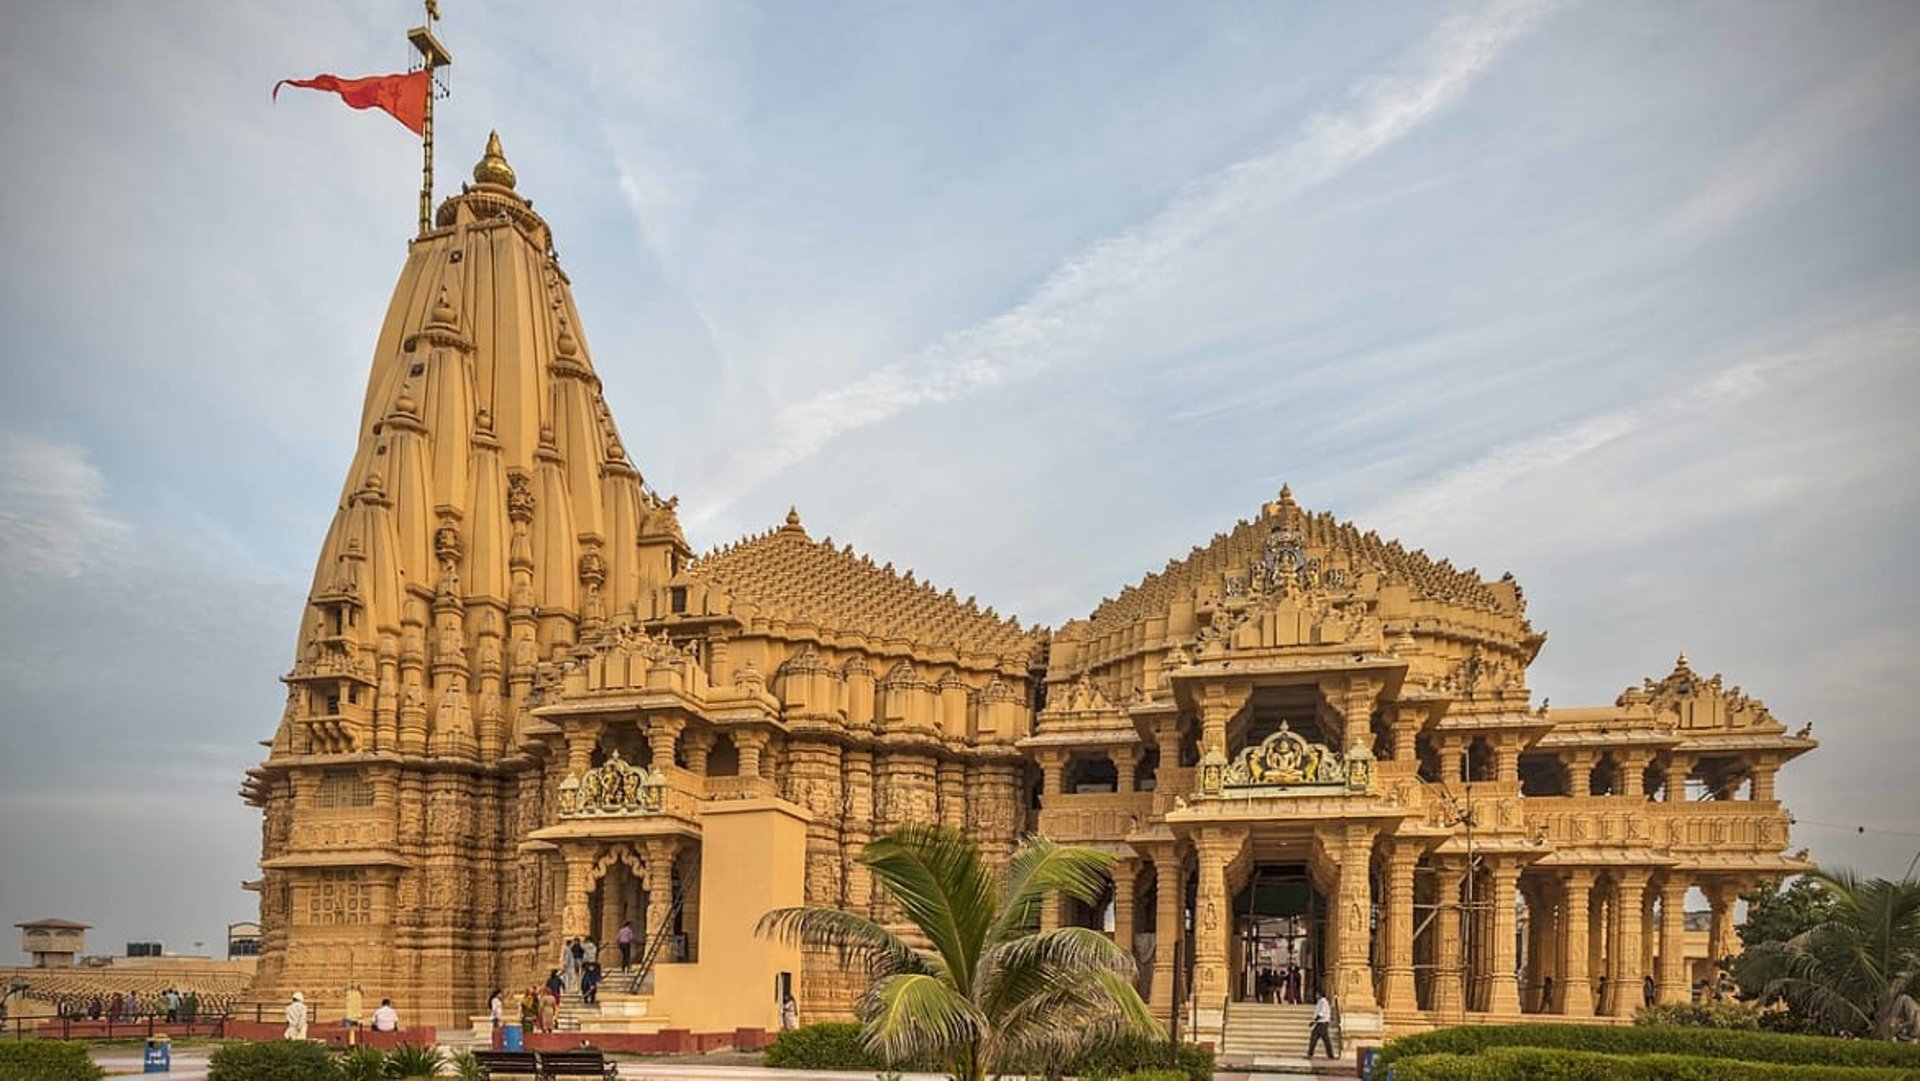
pixel 489 523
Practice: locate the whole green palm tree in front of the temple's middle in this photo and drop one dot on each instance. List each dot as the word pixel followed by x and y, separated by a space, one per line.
pixel 994 992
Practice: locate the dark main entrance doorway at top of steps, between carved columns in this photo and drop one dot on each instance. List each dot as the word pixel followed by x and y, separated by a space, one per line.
pixel 1280 923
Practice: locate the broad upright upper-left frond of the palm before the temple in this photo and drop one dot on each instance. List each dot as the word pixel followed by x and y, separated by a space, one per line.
pixel 940 884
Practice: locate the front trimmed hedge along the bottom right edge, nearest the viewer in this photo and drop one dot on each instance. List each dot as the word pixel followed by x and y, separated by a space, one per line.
pixel 1558 1065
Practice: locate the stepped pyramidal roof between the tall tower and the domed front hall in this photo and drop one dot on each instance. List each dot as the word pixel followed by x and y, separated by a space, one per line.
pixel 844 590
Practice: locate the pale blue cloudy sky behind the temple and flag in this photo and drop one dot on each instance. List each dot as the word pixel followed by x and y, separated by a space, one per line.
pixel 1620 297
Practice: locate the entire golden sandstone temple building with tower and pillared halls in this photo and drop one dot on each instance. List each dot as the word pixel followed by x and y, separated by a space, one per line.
pixel 523 709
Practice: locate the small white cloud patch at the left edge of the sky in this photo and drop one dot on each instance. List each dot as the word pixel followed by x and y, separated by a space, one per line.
pixel 55 516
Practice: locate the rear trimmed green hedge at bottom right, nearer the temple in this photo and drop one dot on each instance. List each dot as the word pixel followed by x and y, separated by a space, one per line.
pixel 1660 1040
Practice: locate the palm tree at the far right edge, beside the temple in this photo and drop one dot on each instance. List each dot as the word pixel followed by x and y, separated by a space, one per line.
pixel 1858 971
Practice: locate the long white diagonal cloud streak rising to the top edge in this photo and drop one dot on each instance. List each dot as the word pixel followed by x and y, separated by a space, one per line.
pixel 1082 295
